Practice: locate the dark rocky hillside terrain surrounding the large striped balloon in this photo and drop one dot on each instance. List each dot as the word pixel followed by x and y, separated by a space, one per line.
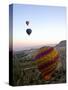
pixel 27 73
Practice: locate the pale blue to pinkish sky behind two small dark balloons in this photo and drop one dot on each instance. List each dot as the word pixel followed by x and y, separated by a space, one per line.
pixel 48 24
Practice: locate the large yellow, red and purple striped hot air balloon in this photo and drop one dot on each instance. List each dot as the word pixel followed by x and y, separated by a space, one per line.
pixel 47 60
